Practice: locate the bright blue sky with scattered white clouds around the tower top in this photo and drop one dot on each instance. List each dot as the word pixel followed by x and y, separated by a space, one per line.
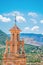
pixel 29 15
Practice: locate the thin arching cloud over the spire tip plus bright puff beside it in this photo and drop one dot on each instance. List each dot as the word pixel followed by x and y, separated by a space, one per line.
pixel 19 16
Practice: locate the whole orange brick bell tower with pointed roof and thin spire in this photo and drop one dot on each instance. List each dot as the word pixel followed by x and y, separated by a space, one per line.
pixel 14 52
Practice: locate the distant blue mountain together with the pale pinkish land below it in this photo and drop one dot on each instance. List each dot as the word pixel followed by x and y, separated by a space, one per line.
pixel 30 38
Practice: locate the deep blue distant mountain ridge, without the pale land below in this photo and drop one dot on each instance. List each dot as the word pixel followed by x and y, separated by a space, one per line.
pixel 37 37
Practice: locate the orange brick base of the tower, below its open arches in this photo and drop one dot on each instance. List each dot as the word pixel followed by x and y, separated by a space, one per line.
pixel 14 60
